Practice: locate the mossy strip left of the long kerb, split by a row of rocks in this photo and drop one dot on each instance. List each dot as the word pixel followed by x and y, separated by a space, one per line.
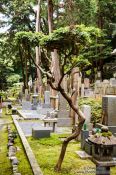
pixel 5 164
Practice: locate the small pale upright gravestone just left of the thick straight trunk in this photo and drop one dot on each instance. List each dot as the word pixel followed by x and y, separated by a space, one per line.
pixel 46 99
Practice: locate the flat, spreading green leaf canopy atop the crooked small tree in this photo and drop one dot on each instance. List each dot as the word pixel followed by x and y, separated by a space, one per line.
pixel 72 38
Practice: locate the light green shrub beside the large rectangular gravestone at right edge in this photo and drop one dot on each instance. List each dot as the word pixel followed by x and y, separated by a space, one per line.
pixel 96 108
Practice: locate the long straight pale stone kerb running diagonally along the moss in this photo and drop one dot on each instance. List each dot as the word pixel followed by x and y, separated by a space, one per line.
pixel 33 162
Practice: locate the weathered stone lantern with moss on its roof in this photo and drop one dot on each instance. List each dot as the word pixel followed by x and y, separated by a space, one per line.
pixel 102 151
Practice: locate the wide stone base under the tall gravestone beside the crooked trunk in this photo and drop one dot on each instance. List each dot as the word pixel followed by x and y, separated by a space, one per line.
pixel 64 122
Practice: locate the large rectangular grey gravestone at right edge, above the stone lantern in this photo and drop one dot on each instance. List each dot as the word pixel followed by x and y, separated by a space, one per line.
pixel 109 110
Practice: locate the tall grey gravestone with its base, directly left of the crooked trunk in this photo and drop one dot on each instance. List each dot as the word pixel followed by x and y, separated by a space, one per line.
pixel 63 114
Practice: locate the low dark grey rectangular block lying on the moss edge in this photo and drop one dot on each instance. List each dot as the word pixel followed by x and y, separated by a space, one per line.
pixel 40 132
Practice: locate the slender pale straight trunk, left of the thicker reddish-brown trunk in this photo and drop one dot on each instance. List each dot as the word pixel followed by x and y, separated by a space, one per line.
pixel 38 50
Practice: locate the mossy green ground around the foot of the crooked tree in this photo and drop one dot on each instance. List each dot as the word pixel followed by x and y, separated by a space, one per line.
pixel 47 156
